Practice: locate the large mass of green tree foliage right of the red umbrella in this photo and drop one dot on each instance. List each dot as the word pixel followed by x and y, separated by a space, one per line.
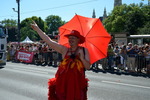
pixel 128 18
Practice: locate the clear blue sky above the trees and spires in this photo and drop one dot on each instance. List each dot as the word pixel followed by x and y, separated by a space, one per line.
pixel 66 9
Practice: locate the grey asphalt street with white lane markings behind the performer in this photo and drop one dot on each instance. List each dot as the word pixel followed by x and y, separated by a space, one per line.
pixel 20 81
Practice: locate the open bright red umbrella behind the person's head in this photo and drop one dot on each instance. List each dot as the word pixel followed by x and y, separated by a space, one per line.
pixel 96 36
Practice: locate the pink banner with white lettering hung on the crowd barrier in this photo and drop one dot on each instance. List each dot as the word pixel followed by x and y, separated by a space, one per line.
pixel 24 56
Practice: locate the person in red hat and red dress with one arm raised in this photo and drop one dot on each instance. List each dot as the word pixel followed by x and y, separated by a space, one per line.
pixel 70 82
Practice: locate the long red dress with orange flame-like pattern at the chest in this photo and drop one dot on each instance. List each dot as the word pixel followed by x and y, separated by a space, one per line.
pixel 69 82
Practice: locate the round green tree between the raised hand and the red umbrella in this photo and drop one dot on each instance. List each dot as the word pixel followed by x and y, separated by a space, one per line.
pixel 53 22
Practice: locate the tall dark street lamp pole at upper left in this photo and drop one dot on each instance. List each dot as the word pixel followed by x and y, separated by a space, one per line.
pixel 18 2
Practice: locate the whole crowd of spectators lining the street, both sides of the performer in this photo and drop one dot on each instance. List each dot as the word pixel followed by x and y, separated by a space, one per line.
pixel 131 58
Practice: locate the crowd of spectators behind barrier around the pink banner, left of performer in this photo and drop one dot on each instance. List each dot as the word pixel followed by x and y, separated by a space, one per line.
pixel 43 54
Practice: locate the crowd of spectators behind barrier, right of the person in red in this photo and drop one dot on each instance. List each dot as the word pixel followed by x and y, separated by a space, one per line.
pixel 131 58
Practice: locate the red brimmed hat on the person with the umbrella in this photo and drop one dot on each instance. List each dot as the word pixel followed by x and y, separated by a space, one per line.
pixel 76 34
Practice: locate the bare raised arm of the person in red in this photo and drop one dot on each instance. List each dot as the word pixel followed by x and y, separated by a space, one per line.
pixel 59 48
